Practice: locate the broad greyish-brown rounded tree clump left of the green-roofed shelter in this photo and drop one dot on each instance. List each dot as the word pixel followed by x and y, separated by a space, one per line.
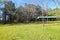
pixel 28 13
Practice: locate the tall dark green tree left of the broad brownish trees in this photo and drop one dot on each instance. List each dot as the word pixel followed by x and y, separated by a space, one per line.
pixel 9 10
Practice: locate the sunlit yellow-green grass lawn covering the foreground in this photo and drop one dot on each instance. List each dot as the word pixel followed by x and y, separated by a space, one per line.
pixel 32 31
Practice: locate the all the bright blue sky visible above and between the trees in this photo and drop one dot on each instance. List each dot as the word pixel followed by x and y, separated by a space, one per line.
pixel 50 3
